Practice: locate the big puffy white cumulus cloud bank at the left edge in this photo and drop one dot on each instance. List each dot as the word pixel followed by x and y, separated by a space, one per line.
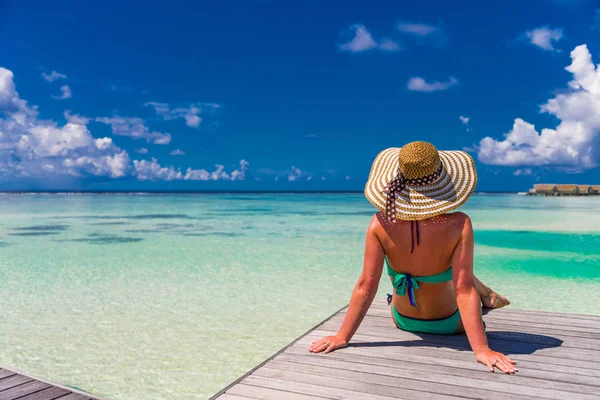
pixel 31 147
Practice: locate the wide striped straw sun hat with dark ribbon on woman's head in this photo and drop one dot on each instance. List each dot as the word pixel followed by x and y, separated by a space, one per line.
pixel 417 181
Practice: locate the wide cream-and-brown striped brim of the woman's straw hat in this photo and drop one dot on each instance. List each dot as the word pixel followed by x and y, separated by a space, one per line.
pixel 452 189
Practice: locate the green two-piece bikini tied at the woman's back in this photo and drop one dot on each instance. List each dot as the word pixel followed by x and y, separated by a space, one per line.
pixel 405 284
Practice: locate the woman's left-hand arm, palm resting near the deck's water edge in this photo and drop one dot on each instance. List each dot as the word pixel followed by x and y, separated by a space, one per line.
pixel 362 296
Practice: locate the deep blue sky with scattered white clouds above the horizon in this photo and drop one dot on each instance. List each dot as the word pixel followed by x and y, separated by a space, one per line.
pixel 293 95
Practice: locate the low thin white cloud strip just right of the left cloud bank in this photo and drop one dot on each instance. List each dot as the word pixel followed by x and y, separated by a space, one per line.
pixel 152 170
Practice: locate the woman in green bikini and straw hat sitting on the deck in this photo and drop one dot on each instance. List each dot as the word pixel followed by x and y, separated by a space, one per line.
pixel 428 251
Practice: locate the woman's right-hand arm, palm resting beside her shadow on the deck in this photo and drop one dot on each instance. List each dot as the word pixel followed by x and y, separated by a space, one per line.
pixel 469 303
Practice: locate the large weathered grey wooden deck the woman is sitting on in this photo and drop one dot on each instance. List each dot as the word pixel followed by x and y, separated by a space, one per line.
pixel 558 357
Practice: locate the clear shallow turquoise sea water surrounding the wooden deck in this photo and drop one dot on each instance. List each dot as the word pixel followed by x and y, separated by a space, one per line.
pixel 175 296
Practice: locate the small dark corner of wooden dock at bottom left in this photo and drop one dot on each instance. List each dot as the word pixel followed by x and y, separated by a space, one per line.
pixel 15 385
